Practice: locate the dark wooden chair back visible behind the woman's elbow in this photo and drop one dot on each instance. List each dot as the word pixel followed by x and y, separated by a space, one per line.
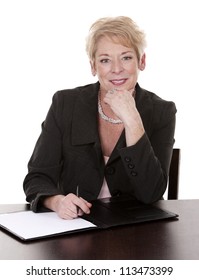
pixel 174 175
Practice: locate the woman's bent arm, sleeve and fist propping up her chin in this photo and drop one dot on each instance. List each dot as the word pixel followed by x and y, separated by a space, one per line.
pixel 149 142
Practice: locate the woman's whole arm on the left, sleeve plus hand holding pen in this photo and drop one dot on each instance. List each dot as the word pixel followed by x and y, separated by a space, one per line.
pixel 41 185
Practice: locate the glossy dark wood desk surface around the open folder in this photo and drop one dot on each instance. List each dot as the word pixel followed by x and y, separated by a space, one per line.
pixel 159 240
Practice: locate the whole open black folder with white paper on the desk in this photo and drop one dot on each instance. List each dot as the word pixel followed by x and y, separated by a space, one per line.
pixel 105 213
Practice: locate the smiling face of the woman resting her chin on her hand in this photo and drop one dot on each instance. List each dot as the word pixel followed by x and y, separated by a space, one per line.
pixel 116 66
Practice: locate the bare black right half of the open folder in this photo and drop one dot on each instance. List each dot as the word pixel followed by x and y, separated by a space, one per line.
pixel 117 211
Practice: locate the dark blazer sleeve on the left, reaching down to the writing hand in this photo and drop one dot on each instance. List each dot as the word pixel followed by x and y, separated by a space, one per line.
pixel 45 163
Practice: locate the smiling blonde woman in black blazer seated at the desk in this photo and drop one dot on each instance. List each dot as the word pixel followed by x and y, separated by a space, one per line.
pixel 104 139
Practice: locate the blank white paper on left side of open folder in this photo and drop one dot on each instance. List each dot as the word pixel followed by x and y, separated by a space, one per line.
pixel 29 225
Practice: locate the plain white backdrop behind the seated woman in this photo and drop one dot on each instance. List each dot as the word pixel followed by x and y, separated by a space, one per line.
pixel 42 50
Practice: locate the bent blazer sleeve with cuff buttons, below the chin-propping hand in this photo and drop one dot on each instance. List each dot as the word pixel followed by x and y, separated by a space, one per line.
pixel 147 162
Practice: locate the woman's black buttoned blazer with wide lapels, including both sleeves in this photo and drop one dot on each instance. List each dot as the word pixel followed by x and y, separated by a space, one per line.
pixel 68 152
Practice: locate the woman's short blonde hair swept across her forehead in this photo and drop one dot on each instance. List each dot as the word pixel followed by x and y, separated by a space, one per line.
pixel 121 30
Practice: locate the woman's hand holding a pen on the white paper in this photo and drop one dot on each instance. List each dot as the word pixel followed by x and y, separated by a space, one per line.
pixel 67 207
